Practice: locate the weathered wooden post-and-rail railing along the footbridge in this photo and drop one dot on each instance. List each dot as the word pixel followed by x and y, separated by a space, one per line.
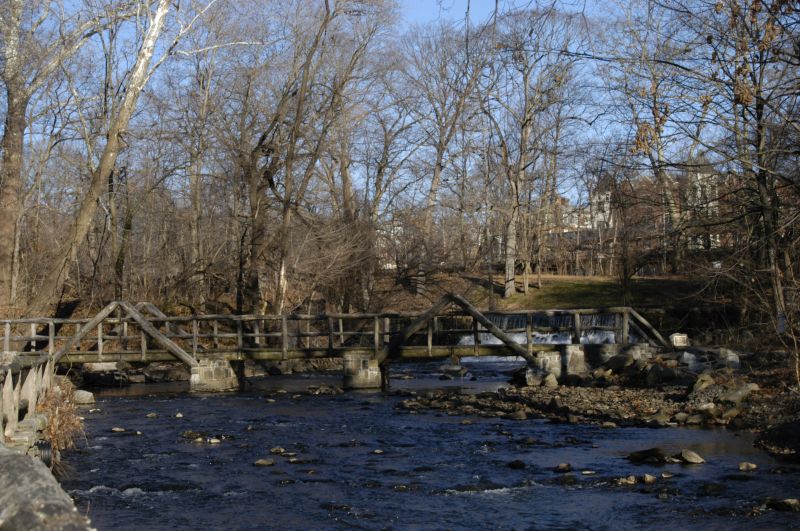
pixel 121 337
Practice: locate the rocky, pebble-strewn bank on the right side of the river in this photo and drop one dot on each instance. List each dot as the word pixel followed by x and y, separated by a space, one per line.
pixel 661 392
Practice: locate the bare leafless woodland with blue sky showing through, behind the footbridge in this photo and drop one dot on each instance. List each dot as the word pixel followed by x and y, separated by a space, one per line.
pixel 259 156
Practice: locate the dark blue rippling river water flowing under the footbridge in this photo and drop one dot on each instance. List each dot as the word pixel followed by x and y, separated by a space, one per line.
pixel 359 464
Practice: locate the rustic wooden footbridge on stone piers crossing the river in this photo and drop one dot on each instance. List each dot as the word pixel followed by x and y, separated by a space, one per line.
pixel 141 333
